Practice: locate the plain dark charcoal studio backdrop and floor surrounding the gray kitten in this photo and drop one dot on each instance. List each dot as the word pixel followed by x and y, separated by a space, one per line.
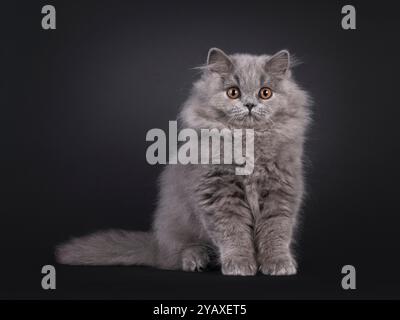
pixel 76 103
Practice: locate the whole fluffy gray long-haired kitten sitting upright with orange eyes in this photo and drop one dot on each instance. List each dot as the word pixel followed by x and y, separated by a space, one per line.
pixel 208 213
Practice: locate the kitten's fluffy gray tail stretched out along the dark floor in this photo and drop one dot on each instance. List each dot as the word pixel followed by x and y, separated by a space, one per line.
pixel 114 247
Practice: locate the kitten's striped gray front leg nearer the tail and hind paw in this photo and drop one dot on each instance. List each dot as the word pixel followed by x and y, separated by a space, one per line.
pixel 227 218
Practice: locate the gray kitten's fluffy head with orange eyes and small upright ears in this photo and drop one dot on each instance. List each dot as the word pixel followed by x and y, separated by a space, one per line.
pixel 244 91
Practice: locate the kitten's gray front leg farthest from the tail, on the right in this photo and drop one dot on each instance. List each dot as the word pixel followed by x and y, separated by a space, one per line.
pixel 274 230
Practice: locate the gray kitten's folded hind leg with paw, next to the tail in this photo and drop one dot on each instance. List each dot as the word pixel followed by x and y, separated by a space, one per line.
pixel 182 242
